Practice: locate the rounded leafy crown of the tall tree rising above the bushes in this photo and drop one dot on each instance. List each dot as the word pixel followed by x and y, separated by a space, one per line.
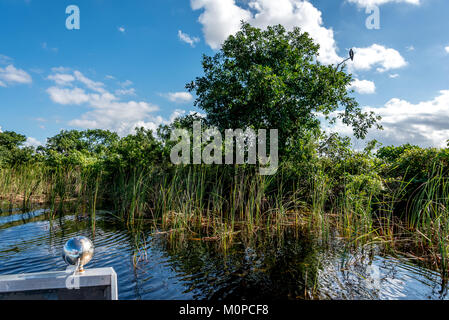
pixel 272 79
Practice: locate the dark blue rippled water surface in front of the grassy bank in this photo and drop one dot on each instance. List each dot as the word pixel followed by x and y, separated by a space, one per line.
pixel 152 266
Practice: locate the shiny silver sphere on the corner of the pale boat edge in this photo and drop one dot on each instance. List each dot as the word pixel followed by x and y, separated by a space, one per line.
pixel 78 251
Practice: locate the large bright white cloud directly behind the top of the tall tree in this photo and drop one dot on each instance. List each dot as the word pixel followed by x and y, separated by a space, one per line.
pixel 221 18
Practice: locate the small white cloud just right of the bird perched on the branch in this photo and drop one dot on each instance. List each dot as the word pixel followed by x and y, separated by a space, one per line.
pixel 383 58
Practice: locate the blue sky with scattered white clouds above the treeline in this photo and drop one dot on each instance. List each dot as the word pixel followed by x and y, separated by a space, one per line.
pixel 128 63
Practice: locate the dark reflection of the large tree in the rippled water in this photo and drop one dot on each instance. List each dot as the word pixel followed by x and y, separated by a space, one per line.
pixel 249 270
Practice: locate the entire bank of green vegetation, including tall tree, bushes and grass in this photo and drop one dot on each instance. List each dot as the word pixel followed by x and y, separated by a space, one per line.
pixel 262 80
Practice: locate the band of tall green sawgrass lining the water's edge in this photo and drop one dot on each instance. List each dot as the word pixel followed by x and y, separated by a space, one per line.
pixel 216 203
